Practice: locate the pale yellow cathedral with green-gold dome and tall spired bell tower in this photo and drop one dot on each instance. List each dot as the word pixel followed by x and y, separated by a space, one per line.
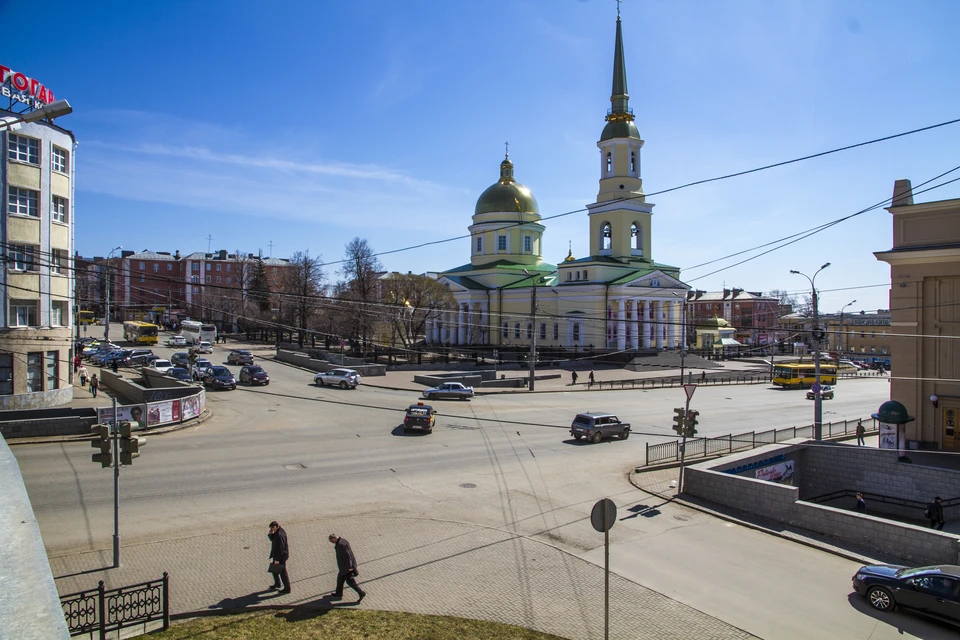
pixel 617 298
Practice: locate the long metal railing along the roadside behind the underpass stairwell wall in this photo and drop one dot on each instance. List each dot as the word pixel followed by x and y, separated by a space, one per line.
pixel 706 447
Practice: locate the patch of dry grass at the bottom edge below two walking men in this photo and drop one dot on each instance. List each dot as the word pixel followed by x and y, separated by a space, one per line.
pixel 301 623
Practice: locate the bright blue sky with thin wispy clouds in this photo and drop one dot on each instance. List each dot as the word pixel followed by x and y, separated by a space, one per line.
pixel 298 126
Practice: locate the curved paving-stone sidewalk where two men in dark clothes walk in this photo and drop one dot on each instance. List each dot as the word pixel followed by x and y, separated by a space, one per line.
pixel 406 564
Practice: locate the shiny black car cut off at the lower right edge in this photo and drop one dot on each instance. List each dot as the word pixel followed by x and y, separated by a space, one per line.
pixel 932 591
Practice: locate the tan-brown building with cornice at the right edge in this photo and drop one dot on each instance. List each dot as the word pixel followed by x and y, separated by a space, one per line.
pixel 925 315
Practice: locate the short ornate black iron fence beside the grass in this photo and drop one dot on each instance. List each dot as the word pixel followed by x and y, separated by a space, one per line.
pixel 95 612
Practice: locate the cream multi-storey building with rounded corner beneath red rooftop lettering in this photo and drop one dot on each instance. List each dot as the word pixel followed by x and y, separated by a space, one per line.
pixel 36 318
